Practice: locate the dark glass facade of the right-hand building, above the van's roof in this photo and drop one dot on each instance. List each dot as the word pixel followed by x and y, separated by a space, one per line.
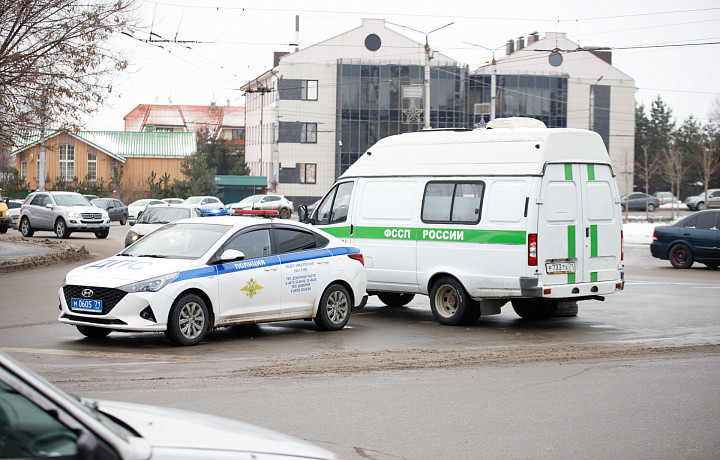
pixel 534 96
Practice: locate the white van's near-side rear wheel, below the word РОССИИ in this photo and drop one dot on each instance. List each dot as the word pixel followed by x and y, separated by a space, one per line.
pixel 451 305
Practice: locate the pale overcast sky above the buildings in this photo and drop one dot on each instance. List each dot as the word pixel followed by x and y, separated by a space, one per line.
pixel 236 41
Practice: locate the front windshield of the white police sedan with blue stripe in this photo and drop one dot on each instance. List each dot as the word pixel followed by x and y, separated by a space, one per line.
pixel 178 241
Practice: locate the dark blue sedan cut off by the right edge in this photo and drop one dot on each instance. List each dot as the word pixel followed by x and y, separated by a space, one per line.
pixel 694 238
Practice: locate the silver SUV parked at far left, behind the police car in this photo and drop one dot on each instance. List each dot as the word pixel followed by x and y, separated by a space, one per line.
pixel 62 213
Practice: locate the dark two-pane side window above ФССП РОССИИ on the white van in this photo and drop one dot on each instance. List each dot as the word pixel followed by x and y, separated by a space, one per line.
pixel 454 202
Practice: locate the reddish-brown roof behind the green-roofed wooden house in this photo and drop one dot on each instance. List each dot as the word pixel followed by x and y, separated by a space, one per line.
pixel 192 118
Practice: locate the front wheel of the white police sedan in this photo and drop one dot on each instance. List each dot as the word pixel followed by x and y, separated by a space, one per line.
pixel 188 321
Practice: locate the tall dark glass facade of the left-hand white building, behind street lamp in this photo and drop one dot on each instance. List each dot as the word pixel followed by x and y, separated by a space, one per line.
pixel 379 100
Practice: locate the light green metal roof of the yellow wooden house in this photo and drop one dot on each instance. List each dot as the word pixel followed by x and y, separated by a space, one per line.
pixel 122 145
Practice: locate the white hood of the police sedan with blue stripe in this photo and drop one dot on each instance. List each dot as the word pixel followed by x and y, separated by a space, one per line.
pixel 119 270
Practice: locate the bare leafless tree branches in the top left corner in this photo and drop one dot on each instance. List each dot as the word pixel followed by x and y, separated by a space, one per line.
pixel 55 62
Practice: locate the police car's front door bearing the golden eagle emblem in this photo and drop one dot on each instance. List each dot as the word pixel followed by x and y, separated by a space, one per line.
pixel 250 288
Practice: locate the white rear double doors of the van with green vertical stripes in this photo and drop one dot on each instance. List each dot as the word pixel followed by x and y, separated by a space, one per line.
pixel 578 225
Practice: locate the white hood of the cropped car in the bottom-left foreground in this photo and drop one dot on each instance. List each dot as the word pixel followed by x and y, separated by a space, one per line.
pixel 177 429
